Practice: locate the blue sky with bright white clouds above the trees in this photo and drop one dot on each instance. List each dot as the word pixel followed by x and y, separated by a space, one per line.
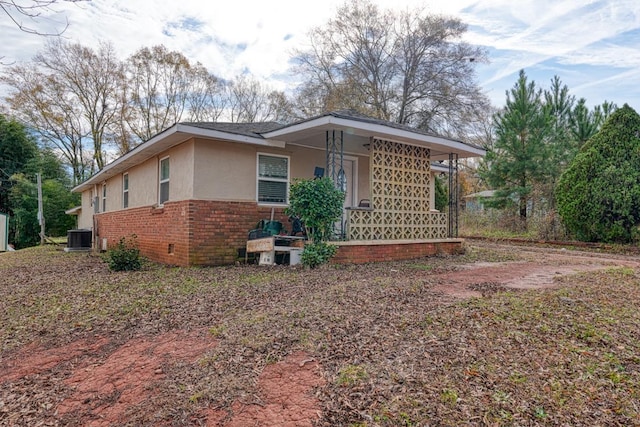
pixel 592 45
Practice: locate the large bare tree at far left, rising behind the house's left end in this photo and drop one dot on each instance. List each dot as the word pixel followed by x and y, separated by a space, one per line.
pixel 69 94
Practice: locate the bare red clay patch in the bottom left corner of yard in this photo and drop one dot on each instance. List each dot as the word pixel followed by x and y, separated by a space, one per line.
pixel 107 385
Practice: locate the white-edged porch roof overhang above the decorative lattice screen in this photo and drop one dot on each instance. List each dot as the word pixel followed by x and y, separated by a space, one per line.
pixel 358 130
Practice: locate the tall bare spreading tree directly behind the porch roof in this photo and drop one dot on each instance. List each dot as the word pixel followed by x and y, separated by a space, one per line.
pixel 405 67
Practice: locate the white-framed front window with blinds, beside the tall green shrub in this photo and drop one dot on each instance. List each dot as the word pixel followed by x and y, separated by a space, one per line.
pixel 273 179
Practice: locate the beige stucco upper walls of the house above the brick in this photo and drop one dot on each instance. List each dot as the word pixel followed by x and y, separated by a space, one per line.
pixel 207 170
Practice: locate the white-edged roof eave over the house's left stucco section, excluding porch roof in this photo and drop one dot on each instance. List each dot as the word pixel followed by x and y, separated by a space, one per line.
pixel 167 139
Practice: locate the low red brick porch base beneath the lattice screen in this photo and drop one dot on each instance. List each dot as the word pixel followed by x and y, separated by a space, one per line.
pixel 360 254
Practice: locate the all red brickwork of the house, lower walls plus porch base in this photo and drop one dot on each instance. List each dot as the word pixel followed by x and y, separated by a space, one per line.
pixel 204 232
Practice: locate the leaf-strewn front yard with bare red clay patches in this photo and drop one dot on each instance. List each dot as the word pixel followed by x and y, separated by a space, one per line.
pixel 502 335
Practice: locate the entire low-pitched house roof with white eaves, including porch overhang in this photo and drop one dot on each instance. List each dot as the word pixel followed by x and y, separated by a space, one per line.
pixel 357 130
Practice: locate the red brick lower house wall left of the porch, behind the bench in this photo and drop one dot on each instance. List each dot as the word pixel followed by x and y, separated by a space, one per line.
pixel 192 232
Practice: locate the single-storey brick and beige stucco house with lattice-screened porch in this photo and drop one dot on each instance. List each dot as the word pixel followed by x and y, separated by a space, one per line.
pixel 191 193
